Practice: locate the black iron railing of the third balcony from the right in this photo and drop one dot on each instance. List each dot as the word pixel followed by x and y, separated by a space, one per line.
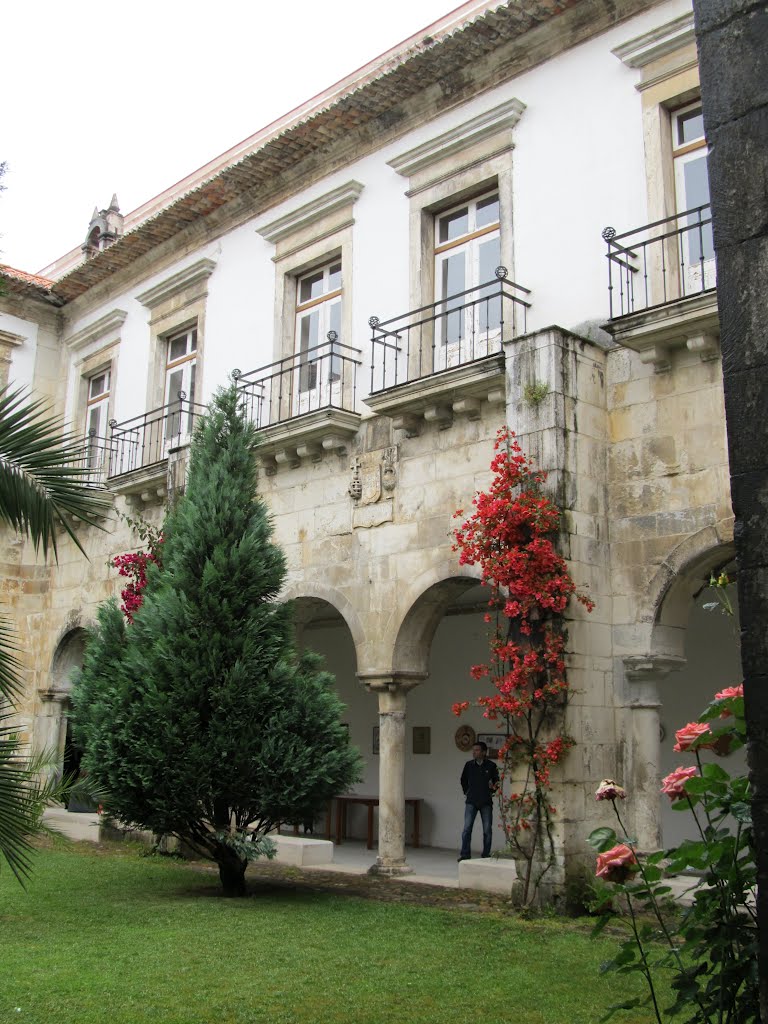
pixel 322 377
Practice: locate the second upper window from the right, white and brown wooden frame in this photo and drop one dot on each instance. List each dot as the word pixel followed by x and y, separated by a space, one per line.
pixel 467 253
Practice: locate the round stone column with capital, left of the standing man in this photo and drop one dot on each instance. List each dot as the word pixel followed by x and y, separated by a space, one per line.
pixel 393 694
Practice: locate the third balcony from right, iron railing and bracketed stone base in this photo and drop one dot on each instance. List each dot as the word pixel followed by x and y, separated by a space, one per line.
pixel 304 405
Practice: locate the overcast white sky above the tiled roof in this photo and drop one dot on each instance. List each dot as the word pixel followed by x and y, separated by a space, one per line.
pixel 132 96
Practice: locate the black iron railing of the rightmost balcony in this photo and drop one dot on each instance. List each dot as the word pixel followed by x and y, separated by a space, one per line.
pixel 670 260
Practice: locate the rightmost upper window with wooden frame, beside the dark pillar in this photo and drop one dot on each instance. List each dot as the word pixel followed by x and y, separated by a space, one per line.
pixel 692 182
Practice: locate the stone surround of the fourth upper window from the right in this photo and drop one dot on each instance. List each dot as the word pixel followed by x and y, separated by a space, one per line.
pixel 176 305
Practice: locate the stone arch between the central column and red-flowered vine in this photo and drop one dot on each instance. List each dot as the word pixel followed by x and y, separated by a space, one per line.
pixel 426 603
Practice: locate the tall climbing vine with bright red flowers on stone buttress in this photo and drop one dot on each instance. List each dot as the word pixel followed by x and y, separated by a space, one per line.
pixel 510 537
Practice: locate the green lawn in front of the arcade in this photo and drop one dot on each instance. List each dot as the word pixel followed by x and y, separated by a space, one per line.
pixel 124 940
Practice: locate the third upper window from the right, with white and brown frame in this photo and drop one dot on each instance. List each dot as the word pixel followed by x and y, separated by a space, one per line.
pixel 319 312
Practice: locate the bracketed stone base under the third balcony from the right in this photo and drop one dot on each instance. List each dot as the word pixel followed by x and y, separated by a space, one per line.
pixel 307 439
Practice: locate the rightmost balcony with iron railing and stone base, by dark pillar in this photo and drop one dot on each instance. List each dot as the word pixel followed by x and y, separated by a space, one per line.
pixel 662 287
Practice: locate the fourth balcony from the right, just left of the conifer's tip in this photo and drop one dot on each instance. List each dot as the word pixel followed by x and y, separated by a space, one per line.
pixel 140 451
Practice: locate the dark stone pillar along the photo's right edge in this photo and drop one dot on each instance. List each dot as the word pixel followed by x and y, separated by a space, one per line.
pixel 733 37
